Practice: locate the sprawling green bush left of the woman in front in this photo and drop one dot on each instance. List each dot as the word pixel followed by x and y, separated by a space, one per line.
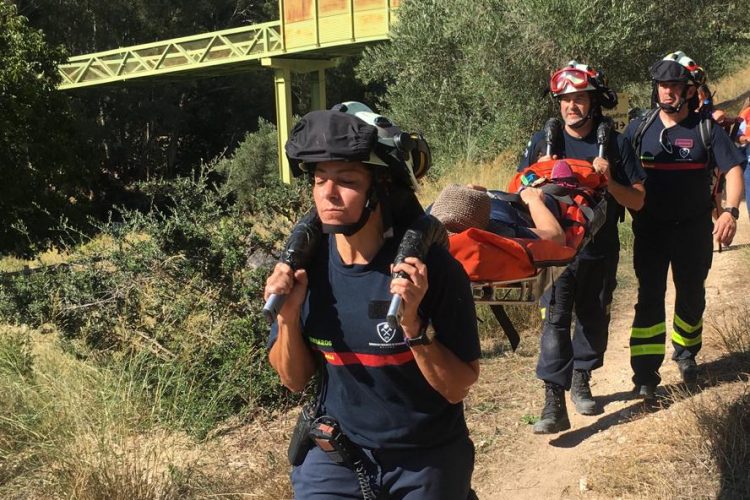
pixel 172 298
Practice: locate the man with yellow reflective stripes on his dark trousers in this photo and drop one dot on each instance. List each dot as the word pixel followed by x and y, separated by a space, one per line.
pixel 679 153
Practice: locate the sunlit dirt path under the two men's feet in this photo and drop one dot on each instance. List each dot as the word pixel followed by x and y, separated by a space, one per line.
pixel 547 467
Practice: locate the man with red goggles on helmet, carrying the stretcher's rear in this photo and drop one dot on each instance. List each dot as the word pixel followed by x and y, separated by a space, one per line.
pixel 586 286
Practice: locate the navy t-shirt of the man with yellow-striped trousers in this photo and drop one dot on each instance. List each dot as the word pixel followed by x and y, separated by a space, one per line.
pixel 678 185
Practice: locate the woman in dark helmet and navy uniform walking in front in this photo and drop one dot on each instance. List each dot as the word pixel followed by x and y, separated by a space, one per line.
pixel 396 393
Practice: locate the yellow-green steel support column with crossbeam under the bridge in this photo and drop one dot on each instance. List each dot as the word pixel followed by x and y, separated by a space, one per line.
pixel 283 69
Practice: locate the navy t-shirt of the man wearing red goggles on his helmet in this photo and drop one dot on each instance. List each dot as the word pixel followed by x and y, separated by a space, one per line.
pixel 624 169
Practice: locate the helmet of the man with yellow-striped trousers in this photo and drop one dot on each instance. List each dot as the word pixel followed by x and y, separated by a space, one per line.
pixel 677 67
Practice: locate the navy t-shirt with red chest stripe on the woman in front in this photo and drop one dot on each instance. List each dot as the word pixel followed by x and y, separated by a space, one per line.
pixel 375 388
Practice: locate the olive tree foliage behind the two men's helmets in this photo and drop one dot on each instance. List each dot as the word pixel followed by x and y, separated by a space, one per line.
pixel 472 73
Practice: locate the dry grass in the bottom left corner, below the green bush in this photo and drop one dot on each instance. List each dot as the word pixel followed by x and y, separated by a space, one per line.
pixel 71 430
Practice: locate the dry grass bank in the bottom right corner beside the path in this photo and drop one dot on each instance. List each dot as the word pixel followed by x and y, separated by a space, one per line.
pixel 698 448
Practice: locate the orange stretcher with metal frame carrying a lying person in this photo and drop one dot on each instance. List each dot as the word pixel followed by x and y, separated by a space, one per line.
pixel 516 271
